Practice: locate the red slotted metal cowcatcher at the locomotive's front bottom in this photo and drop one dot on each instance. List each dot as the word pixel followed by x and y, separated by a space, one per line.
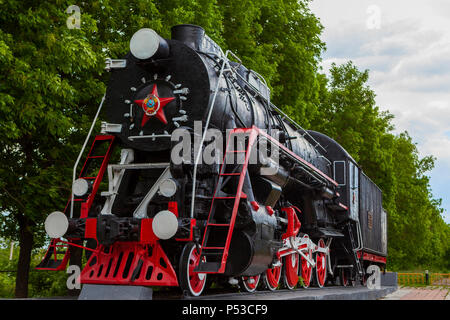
pixel 130 263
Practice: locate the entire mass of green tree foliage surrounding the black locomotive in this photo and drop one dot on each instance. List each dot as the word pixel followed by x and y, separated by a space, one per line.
pixel 52 79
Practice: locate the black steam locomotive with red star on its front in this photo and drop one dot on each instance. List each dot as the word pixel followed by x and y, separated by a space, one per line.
pixel 276 205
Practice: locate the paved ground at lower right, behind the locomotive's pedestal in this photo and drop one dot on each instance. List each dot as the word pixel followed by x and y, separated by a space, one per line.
pixel 426 293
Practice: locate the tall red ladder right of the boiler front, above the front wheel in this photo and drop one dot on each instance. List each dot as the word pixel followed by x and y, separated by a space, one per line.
pixel 218 234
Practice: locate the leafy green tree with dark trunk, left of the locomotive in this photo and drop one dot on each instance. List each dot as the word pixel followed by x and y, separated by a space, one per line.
pixel 49 78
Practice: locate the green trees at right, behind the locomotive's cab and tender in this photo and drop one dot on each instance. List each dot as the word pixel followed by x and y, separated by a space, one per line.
pixel 417 234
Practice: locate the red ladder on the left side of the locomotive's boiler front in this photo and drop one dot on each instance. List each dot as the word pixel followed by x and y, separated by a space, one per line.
pixel 86 201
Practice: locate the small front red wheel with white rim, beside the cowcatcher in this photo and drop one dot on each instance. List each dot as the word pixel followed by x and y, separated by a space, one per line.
pixel 191 282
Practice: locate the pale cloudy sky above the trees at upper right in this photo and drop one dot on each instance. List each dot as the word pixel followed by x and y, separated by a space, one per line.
pixel 406 47
